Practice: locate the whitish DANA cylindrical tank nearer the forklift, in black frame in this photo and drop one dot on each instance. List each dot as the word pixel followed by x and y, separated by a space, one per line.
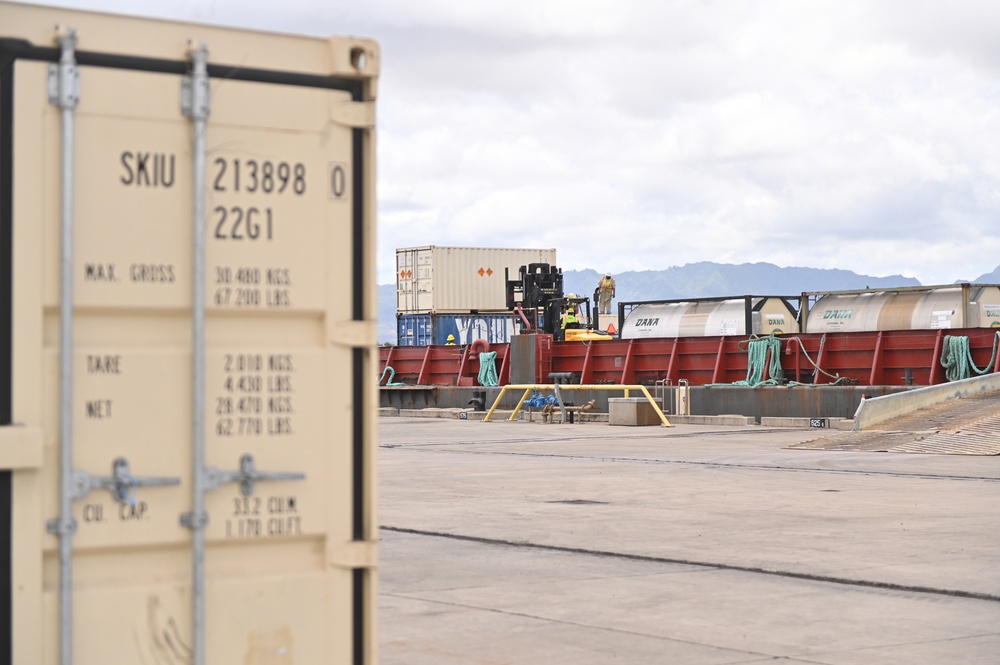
pixel 706 318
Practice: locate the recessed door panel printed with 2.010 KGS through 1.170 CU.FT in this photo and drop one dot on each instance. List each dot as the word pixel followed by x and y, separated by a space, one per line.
pixel 268 402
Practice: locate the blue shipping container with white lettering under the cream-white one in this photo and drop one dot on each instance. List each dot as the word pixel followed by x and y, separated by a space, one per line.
pixel 431 328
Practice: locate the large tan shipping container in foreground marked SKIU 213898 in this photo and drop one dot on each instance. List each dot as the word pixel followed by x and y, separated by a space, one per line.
pixel 170 389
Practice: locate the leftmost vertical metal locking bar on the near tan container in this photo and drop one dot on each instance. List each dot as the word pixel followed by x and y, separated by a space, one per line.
pixel 67 99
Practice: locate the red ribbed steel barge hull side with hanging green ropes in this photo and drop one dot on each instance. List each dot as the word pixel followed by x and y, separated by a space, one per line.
pixel 883 358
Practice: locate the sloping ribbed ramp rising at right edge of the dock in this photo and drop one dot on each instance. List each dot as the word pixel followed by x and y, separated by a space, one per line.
pixel 962 426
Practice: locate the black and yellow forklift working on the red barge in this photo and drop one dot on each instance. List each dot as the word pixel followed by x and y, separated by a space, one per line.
pixel 537 298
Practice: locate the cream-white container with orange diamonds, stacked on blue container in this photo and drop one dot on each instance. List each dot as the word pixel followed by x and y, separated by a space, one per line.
pixel 459 279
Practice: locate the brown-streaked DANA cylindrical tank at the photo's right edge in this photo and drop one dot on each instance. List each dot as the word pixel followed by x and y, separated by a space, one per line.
pixel 907 309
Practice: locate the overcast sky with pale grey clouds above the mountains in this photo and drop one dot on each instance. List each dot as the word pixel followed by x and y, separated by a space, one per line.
pixel 644 134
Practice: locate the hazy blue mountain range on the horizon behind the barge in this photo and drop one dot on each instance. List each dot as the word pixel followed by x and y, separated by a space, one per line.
pixel 699 280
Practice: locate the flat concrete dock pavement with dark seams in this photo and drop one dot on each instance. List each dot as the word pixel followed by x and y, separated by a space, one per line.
pixel 522 542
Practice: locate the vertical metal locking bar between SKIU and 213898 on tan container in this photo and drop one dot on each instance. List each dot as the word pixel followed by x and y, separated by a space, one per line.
pixel 196 107
